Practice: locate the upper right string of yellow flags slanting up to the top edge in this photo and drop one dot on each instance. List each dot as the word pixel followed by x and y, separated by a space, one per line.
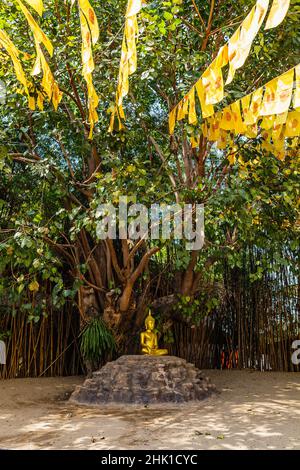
pixel 210 87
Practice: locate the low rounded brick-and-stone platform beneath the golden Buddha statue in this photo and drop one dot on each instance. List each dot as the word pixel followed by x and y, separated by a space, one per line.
pixel 143 380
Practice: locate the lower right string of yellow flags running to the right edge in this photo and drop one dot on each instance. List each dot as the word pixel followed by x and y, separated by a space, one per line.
pixel 266 111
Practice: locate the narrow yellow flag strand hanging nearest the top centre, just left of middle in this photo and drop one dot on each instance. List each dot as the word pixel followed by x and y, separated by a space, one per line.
pixel 128 63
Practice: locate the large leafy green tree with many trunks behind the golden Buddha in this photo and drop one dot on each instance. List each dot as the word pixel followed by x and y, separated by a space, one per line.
pixel 59 161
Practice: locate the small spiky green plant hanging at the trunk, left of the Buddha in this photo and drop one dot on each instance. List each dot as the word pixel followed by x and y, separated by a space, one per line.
pixel 96 340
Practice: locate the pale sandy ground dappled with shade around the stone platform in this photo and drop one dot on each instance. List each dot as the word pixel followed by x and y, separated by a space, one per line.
pixel 253 410
